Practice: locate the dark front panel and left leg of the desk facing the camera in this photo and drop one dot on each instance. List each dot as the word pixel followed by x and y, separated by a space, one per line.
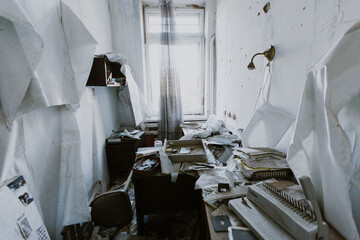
pixel 157 194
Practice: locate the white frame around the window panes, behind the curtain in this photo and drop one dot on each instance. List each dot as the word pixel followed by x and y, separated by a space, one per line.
pixel 154 38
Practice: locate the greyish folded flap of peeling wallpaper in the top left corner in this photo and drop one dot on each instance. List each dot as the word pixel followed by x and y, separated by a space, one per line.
pixel 21 47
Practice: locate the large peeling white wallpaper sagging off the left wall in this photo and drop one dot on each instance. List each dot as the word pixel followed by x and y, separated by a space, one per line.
pixel 44 68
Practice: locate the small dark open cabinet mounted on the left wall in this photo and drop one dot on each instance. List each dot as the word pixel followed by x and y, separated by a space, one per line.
pixel 105 73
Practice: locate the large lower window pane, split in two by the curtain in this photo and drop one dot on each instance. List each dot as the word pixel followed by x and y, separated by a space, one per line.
pixel 189 75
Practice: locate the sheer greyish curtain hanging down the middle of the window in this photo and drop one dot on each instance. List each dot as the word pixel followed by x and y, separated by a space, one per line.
pixel 170 112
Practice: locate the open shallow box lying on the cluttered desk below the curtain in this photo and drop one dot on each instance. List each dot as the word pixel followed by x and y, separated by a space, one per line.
pixel 186 150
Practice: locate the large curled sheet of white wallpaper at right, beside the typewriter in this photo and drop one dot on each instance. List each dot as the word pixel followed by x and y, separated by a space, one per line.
pixel 325 142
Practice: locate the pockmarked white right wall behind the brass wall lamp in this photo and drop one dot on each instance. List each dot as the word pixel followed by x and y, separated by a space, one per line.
pixel 301 31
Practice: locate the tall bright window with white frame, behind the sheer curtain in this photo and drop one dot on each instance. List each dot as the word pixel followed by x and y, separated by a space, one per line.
pixel 190 26
